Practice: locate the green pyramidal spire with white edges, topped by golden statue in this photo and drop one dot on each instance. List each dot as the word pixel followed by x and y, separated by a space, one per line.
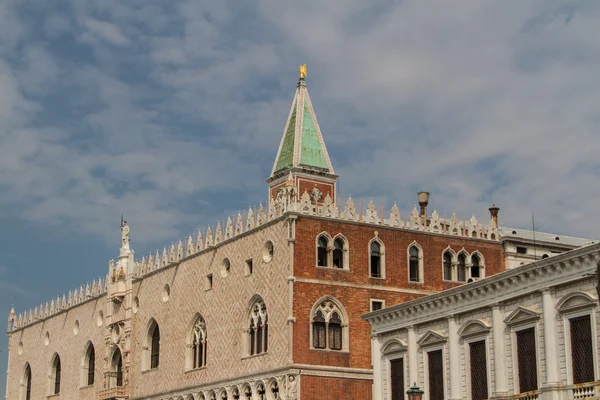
pixel 302 144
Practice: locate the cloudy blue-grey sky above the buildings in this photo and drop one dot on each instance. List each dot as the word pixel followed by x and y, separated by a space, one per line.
pixel 170 113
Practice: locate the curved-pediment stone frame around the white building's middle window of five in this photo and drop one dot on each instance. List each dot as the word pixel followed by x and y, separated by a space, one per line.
pixel 479 332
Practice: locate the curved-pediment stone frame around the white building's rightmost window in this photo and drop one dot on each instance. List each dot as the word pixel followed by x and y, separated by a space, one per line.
pixel 567 310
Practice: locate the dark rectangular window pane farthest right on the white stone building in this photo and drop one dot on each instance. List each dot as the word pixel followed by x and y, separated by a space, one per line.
pixel 582 351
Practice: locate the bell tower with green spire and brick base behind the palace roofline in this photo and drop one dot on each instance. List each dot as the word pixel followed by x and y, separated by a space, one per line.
pixel 302 160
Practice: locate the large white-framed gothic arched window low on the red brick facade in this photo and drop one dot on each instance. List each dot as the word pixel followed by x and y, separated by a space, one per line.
pixel 329 329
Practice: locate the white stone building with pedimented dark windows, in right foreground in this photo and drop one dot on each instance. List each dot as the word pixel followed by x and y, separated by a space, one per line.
pixel 528 333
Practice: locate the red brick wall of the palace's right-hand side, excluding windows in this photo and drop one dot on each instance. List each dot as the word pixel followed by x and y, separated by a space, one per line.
pixel 353 288
